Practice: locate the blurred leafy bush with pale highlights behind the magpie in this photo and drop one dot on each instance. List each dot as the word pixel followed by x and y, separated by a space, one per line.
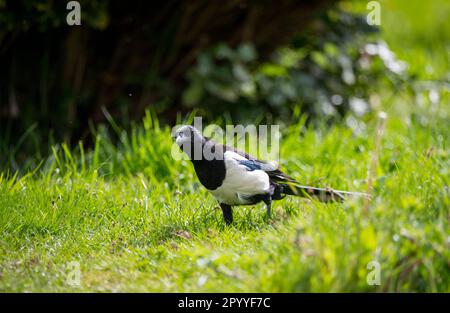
pixel 330 69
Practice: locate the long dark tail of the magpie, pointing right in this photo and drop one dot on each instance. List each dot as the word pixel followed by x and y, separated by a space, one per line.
pixel 322 194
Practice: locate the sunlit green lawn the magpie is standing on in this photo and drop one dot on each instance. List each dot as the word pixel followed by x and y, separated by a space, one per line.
pixel 136 220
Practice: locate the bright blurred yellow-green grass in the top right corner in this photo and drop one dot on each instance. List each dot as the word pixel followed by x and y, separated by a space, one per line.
pixel 418 31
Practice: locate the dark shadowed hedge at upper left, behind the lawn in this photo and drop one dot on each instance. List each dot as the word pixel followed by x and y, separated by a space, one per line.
pixel 124 57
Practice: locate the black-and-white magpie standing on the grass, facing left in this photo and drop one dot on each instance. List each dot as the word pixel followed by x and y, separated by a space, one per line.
pixel 236 178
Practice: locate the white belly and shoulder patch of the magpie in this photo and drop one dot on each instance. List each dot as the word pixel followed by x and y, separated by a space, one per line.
pixel 239 182
